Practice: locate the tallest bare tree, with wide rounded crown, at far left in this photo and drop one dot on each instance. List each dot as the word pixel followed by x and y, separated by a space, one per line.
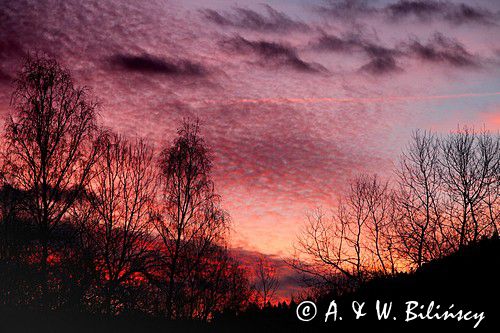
pixel 49 145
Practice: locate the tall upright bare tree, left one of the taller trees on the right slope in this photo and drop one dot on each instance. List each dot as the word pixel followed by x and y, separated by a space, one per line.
pixel 419 199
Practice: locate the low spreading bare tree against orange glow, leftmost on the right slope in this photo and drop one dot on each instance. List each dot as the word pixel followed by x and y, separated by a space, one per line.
pixel 334 250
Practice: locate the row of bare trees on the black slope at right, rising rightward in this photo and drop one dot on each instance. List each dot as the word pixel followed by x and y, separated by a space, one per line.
pixel 444 197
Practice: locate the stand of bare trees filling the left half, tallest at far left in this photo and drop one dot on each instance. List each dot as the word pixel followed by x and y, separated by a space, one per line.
pixel 89 221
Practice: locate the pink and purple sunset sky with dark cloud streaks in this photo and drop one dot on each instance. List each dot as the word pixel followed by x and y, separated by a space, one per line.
pixel 295 97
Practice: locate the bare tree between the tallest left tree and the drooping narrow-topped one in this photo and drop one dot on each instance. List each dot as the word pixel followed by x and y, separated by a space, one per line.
pixel 122 195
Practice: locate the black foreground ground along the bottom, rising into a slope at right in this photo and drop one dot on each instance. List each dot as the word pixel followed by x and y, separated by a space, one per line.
pixel 467 279
